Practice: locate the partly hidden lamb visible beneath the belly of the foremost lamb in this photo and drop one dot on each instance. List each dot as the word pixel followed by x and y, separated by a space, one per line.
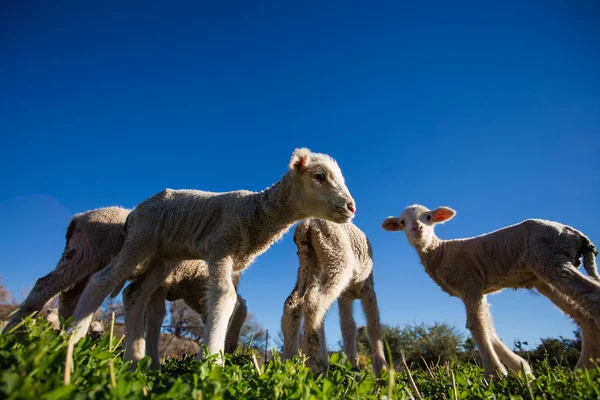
pixel 189 281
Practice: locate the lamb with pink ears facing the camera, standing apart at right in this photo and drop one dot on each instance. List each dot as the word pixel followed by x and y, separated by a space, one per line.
pixel 532 254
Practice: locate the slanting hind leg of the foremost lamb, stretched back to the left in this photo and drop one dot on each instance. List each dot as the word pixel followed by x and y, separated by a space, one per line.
pixel 103 282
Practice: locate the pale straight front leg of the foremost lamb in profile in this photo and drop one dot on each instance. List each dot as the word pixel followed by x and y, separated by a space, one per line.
pixel 221 304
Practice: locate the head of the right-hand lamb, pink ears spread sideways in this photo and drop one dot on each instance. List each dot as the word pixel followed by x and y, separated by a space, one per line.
pixel 418 222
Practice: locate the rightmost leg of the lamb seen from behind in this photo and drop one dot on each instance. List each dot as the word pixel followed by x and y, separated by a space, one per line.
pixel 369 303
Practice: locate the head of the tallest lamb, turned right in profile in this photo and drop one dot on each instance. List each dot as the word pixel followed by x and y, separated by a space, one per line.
pixel 319 187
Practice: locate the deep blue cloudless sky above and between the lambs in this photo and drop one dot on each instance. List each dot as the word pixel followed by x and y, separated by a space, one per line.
pixel 492 110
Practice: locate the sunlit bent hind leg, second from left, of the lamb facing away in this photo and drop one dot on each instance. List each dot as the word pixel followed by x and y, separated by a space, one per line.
pixel 317 302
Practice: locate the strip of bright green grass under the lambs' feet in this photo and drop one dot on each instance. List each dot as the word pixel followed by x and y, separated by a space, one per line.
pixel 32 366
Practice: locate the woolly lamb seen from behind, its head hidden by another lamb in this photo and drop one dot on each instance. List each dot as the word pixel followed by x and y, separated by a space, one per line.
pixel 336 262
